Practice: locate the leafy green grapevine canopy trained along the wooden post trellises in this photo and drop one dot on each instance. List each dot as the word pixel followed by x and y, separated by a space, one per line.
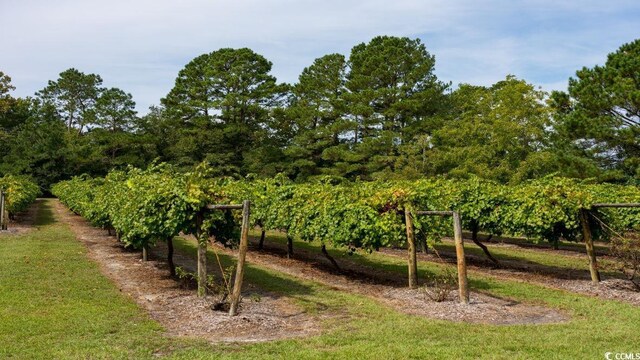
pixel 159 203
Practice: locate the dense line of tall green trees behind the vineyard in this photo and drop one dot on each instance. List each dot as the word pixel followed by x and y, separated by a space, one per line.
pixel 380 113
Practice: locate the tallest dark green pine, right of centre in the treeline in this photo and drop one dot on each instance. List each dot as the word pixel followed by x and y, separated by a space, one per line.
pixel 394 95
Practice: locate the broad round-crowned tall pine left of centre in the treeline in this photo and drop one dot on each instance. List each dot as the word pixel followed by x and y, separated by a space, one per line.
pixel 219 105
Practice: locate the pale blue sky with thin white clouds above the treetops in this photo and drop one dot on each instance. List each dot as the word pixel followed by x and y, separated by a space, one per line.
pixel 140 45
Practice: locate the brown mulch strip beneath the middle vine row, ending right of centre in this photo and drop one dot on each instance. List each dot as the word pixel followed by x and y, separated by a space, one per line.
pixel 391 290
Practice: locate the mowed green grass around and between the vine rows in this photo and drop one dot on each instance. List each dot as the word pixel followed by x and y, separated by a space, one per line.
pixel 54 303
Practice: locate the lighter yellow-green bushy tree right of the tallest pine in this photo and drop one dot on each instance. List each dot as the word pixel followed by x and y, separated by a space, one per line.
pixel 495 133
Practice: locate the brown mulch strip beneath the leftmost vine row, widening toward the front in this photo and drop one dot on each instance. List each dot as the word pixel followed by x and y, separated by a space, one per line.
pixel 179 310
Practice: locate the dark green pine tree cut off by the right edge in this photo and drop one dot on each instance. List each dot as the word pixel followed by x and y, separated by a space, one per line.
pixel 605 116
